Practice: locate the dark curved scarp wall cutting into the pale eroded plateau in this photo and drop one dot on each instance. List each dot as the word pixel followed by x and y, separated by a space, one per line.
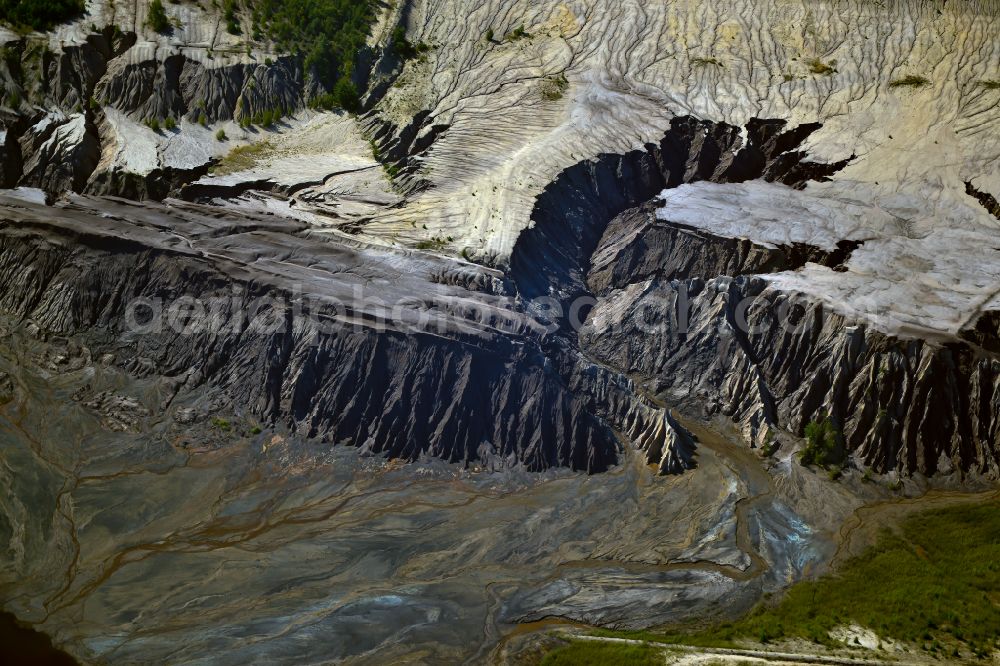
pixel 571 214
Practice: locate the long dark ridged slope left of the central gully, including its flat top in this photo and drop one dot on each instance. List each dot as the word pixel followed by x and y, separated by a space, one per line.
pixel 480 382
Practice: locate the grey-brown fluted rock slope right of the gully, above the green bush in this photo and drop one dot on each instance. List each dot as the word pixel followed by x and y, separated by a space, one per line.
pixel 908 405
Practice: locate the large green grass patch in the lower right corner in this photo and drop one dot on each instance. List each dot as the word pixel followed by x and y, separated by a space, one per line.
pixel 935 583
